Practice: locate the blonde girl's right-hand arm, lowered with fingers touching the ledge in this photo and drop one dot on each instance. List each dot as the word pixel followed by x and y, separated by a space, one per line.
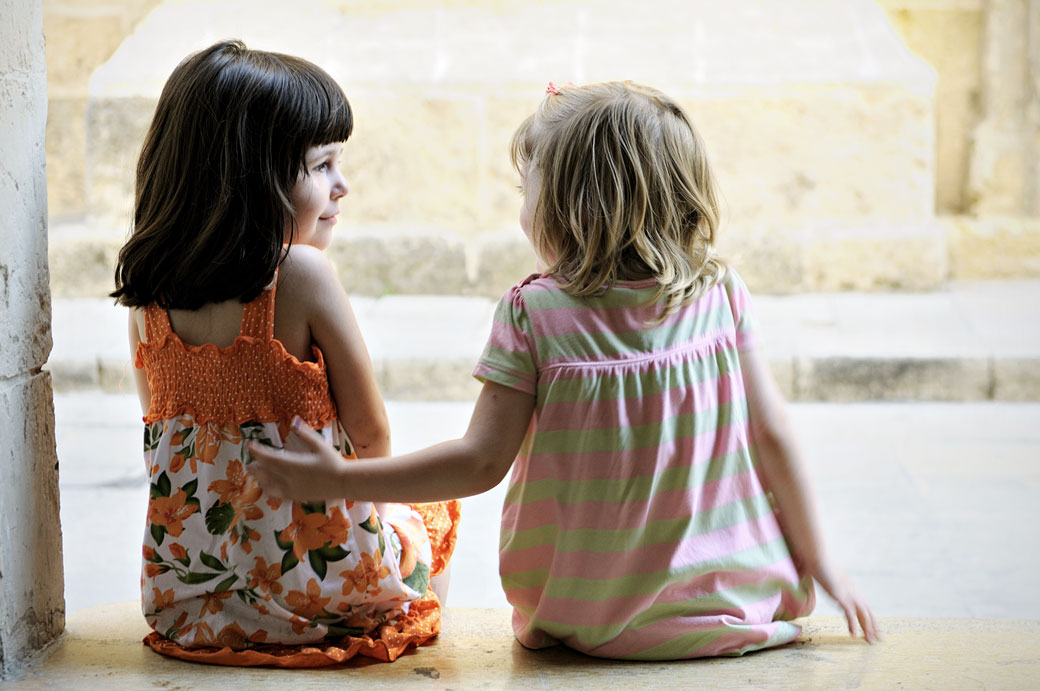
pixel 784 474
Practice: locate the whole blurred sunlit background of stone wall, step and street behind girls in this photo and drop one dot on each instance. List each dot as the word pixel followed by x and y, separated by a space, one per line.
pixel 881 182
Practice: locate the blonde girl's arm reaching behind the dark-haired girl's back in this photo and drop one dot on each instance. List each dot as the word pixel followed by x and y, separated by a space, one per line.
pixel 466 467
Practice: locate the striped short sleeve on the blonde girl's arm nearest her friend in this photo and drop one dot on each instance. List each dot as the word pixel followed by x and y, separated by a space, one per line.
pixel 509 357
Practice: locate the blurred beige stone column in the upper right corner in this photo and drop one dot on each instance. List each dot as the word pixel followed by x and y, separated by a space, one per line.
pixel 1003 176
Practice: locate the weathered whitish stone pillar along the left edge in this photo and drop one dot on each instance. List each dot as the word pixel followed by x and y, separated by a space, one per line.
pixel 32 585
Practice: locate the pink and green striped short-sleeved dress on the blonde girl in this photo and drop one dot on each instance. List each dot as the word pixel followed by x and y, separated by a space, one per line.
pixel 636 526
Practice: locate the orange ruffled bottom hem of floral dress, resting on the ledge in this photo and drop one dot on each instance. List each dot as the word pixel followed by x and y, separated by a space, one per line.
pixel 421 625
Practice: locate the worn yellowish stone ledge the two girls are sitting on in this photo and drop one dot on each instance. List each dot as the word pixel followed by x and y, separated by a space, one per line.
pixel 477 649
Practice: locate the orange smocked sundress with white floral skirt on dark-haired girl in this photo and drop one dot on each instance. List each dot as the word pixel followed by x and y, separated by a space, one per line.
pixel 233 577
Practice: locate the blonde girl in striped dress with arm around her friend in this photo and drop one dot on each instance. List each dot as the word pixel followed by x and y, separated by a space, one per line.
pixel 658 507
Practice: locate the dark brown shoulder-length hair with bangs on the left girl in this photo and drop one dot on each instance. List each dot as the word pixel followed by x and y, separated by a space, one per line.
pixel 213 199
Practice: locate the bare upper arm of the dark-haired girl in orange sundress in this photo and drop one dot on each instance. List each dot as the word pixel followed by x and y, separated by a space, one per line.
pixel 310 285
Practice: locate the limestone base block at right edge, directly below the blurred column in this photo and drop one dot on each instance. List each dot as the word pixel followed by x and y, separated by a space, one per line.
pixel 993 247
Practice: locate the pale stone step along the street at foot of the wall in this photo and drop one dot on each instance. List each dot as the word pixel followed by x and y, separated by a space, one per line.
pixel 974 341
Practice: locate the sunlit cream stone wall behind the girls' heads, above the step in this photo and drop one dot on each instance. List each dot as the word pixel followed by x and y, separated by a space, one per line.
pixel 837 148
